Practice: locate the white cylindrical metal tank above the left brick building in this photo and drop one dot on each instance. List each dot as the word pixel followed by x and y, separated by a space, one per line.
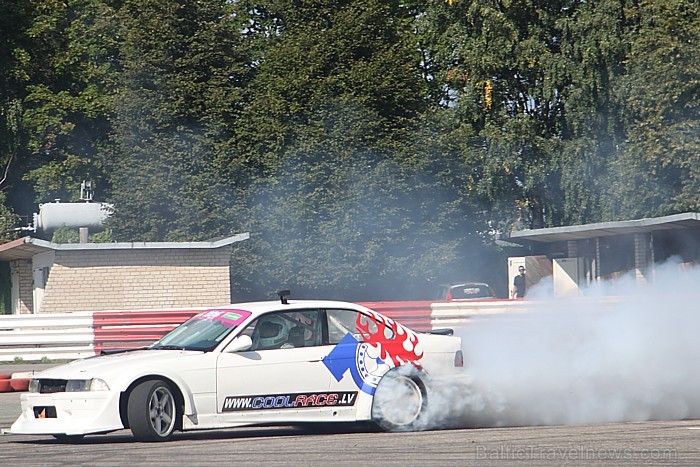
pixel 52 216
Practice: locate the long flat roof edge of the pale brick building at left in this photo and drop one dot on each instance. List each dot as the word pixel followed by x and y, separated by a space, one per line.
pixel 26 247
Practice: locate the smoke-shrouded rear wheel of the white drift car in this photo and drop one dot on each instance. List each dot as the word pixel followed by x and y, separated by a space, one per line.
pixel 400 401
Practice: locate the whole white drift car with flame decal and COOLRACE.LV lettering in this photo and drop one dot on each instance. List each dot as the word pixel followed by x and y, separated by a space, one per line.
pixel 281 362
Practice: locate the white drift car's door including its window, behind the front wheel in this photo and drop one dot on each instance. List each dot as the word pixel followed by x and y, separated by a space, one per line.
pixel 282 377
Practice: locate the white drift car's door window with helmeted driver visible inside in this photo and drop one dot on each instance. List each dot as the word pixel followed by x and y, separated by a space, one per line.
pixel 285 330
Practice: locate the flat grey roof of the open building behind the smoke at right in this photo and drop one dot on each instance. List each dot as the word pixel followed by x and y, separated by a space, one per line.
pixel 603 229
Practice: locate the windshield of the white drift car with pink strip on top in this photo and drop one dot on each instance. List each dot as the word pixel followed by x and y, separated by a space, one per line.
pixel 202 332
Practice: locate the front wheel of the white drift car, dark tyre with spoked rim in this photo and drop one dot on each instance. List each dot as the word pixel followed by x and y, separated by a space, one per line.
pixel 152 411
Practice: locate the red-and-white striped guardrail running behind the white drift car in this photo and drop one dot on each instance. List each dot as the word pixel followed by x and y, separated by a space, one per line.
pixel 82 334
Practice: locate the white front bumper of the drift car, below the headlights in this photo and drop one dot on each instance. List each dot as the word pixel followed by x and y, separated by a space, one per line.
pixel 68 413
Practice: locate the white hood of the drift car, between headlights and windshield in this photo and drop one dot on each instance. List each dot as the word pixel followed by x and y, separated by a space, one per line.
pixel 105 366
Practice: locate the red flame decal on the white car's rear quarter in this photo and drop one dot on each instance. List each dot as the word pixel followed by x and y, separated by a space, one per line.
pixel 399 349
